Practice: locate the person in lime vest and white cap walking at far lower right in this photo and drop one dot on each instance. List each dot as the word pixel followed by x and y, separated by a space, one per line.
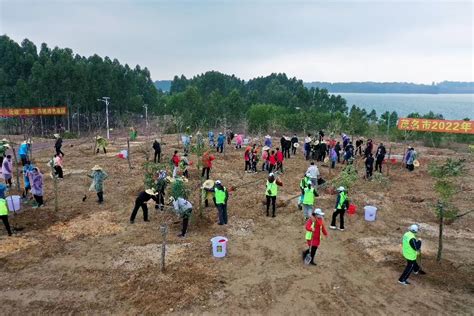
pixel 411 247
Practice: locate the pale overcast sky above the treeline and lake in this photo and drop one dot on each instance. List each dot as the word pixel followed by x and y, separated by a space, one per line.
pixel 335 41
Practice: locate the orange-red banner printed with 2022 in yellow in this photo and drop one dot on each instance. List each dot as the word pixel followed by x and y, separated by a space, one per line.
pixel 439 126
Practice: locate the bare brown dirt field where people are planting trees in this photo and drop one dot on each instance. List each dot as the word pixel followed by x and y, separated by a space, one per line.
pixel 87 259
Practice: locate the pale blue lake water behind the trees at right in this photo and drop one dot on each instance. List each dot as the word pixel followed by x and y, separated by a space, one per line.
pixel 451 106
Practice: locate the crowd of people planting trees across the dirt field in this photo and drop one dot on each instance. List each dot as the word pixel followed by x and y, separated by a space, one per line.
pixel 315 148
